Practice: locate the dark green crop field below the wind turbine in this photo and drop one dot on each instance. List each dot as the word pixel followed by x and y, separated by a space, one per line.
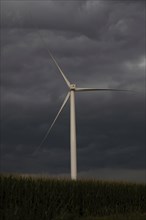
pixel 31 198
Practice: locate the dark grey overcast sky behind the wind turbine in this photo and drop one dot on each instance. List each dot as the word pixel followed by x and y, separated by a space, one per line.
pixel 97 44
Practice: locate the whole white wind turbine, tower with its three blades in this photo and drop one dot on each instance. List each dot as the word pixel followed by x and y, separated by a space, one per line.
pixel 71 94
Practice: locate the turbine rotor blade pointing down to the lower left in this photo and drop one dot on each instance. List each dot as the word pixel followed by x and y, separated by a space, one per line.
pixel 49 130
